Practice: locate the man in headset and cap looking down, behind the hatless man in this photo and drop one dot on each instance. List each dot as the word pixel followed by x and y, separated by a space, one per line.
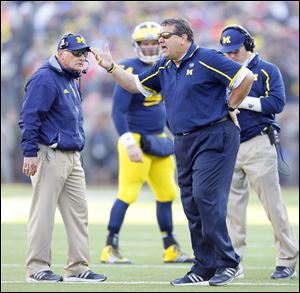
pixel 257 160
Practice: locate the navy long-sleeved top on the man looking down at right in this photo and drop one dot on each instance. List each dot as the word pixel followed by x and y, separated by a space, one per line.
pixel 269 88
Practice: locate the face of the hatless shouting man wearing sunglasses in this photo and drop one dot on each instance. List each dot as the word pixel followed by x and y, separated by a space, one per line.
pixel 170 42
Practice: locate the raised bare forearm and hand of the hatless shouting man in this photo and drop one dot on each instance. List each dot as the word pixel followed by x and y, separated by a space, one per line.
pixel 124 78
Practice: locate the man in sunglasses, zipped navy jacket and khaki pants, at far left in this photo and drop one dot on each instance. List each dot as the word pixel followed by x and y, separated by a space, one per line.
pixel 51 122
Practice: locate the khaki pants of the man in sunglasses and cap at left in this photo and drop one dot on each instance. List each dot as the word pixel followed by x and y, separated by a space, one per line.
pixel 59 181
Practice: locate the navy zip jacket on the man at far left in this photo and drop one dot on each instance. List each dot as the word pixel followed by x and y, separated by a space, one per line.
pixel 52 113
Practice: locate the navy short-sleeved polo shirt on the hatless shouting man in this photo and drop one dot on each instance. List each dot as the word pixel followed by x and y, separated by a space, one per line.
pixel 195 92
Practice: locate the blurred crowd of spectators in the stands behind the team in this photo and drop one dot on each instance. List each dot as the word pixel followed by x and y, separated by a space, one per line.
pixel 30 31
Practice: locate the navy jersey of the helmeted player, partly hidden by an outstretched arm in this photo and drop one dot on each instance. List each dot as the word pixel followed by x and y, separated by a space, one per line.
pixel 134 112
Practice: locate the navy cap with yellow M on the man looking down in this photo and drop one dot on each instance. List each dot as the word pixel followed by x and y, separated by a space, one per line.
pixel 232 40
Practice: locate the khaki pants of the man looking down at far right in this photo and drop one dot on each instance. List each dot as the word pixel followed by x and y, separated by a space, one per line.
pixel 257 164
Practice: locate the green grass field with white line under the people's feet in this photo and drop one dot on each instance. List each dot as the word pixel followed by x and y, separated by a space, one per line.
pixel 139 241
